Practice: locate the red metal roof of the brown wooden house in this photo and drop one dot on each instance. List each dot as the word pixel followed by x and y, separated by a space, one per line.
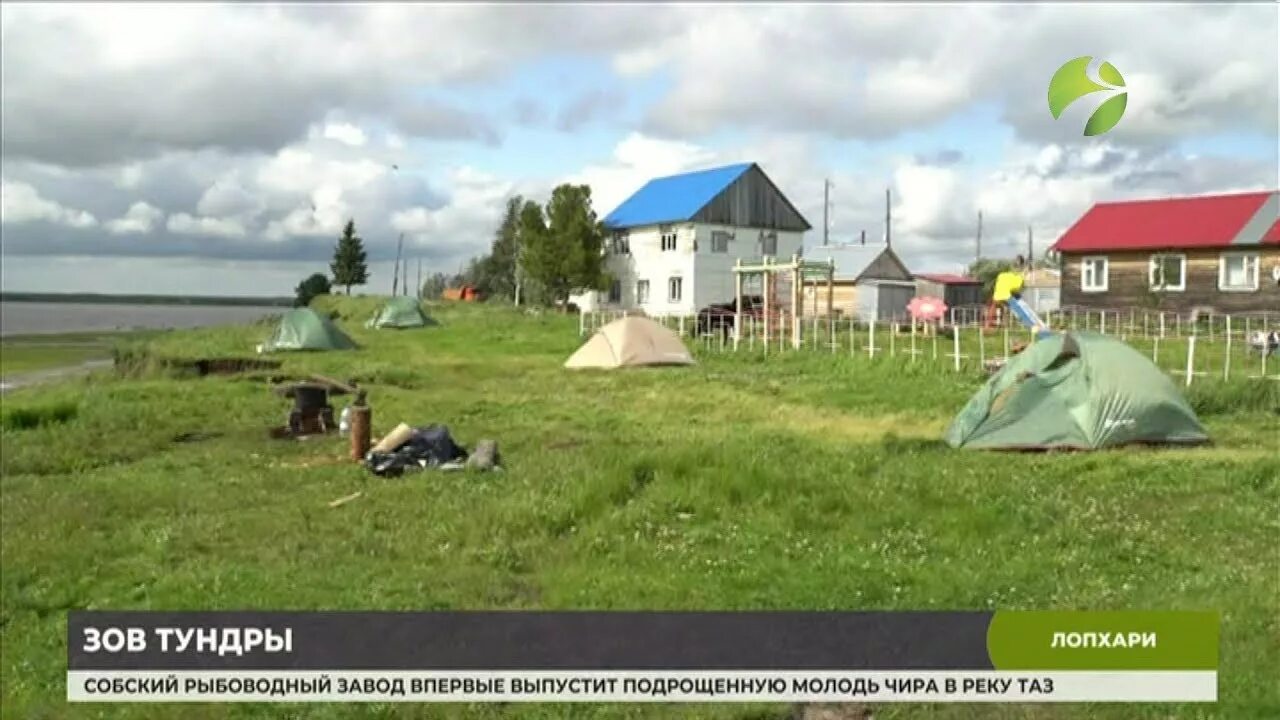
pixel 1212 221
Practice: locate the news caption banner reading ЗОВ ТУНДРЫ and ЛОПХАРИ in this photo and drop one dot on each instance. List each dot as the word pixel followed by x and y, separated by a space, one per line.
pixel 1005 657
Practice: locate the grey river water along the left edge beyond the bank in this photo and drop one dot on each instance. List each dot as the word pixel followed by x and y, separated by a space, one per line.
pixel 47 318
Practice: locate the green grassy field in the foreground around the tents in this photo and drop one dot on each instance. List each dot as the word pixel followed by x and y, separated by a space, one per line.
pixel 802 481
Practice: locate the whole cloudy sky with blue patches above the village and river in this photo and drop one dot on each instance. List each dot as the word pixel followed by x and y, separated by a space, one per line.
pixel 204 149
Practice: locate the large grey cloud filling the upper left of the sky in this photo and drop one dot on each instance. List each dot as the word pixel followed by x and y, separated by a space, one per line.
pixel 289 69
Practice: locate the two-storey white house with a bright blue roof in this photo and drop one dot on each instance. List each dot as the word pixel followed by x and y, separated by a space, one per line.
pixel 673 245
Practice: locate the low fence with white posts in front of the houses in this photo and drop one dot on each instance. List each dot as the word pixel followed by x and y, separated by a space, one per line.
pixel 1190 348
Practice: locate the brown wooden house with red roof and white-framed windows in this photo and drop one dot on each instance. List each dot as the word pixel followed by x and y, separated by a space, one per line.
pixel 1218 253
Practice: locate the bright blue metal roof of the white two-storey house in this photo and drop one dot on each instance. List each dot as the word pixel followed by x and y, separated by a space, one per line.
pixel 674 199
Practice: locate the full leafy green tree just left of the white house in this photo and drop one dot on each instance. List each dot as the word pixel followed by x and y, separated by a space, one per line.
pixel 564 247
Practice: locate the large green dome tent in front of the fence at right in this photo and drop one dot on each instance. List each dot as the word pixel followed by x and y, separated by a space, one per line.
pixel 1081 391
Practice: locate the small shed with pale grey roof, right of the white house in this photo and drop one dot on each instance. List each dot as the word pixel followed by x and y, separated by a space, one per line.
pixel 872 282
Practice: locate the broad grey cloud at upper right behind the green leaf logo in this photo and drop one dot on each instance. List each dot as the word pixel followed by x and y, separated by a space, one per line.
pixel 877 71
